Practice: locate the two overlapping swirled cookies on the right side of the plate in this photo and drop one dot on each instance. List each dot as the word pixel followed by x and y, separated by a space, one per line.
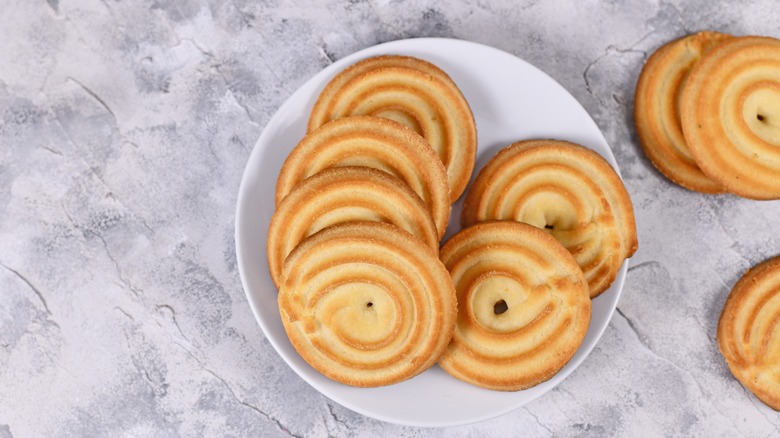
pixel 547 224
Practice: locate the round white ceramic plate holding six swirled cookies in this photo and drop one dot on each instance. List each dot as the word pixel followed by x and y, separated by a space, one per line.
pixel 511 100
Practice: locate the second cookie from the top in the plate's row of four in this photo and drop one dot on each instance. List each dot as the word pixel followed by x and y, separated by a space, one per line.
pixel 371 142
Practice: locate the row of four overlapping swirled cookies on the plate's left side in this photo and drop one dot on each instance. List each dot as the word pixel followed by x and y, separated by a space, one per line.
pixel 361 205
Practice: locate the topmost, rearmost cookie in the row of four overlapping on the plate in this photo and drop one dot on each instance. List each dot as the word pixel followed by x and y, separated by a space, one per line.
pixel 415 93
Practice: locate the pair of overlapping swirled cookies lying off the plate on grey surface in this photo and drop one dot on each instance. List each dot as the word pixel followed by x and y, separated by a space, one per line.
pixel 707 112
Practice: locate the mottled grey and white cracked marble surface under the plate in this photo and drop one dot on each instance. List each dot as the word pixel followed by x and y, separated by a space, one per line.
pixel 124 130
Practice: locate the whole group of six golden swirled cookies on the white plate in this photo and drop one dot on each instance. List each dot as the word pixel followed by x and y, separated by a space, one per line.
pixel 363 201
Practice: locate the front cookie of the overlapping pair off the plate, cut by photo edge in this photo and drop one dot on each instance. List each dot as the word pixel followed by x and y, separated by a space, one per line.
pixel 730 113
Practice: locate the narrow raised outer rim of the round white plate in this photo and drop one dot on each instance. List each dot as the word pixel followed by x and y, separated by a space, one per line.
pixel 242 264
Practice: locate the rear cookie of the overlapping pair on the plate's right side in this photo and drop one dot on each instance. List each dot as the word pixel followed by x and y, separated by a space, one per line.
pixel 567 189
